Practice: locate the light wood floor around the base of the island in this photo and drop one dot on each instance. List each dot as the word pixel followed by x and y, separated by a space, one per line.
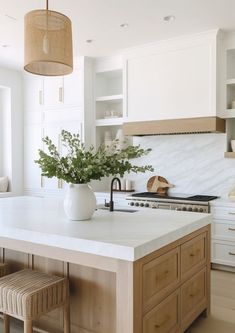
pixel 222 318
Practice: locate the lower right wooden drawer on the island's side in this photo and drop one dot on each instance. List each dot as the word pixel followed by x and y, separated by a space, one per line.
pixel 193 298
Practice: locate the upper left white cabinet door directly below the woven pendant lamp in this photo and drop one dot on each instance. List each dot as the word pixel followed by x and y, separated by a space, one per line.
pixel 33 92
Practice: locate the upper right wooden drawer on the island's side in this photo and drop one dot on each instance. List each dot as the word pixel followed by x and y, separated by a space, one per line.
pixel 193 255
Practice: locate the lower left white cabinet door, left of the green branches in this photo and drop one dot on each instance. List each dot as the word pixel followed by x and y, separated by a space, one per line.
pixel 32 142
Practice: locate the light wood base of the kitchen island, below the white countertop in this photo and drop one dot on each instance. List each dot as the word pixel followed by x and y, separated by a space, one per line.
pixel 164 291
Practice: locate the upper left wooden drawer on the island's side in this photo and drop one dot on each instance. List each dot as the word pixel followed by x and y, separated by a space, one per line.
pixel 160 276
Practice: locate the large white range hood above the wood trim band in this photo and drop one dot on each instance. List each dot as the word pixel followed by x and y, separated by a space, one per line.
pixel 175 79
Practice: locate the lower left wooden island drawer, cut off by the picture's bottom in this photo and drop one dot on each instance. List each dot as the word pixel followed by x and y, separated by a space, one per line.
pixel 165 317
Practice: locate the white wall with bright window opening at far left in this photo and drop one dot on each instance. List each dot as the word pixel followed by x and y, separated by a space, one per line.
pixel 12 128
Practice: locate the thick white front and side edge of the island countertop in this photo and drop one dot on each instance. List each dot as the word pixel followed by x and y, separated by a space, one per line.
pixel 104 249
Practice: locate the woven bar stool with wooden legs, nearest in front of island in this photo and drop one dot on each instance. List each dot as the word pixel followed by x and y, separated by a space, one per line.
pixel 27 294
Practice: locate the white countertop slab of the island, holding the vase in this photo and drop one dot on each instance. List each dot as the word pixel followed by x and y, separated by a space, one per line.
pixel 121 235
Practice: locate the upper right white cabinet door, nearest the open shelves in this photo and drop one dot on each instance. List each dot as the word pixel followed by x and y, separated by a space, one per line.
pixel 73 88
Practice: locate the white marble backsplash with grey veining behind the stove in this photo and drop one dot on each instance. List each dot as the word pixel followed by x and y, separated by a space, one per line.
pixel 194 163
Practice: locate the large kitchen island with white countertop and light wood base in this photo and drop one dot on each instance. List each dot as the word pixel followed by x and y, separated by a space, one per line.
pixel 141 272
